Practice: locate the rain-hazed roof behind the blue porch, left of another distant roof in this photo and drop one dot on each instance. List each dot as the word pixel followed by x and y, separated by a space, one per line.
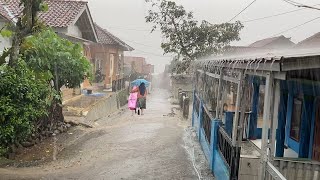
pixel 261 46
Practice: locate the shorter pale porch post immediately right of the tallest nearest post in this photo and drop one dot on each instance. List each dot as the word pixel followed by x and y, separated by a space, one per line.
pixel 276 103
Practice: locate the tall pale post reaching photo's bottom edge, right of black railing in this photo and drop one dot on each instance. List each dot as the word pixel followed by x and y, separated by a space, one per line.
pixel 265 127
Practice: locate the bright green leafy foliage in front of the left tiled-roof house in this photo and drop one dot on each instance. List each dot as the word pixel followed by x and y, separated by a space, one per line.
pixel 47 52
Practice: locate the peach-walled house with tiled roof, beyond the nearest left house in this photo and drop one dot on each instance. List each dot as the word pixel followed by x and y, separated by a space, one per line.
pixel 107 55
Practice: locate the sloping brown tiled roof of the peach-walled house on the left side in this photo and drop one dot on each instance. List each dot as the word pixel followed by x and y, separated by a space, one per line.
pixel 105 37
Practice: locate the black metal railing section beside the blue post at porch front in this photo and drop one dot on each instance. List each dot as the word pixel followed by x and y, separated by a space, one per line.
pixel 229 153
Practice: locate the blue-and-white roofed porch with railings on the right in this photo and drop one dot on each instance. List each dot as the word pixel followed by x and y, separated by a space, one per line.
pixel 277 135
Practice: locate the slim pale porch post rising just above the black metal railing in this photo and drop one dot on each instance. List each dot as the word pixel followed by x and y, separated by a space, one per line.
pixel 236 116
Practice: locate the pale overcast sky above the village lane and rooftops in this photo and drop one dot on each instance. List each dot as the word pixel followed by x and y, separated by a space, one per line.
pixel 125 19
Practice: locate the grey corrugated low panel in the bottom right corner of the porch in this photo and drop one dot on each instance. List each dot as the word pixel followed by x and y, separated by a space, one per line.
pixel 297 169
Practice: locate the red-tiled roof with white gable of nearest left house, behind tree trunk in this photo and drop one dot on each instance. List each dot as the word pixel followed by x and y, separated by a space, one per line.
pixel 70 18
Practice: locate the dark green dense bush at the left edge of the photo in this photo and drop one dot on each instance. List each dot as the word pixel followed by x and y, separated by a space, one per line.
pixel 22 101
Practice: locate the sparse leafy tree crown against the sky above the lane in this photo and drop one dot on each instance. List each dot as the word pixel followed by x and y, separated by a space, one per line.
pixel 185 36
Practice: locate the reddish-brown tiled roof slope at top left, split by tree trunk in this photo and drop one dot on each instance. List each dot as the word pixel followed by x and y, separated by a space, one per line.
pixel 61 13
